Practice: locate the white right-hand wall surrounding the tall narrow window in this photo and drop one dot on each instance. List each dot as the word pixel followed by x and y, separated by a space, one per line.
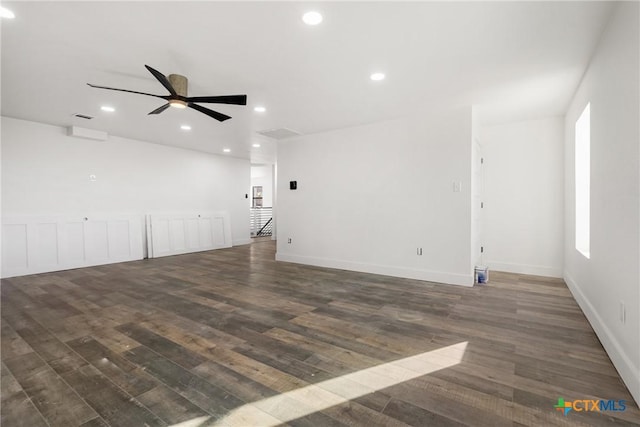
pixel 611 275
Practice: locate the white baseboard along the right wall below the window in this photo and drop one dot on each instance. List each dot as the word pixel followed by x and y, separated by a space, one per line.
pixel 625 366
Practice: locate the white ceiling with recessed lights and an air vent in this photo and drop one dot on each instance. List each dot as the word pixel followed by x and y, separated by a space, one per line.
pixel 515 60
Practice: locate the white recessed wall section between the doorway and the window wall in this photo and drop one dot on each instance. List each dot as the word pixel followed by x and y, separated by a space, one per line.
pixel 523 196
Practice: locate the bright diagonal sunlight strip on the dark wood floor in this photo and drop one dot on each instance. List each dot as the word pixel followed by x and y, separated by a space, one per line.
pixel 304 401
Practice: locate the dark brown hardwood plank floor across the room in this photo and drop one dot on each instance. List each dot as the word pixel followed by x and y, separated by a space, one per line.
pixel 231 337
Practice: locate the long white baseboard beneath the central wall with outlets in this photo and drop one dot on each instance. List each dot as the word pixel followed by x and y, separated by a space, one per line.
pixel 404 272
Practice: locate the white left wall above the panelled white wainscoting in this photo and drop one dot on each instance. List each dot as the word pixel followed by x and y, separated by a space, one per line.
pixel 46 172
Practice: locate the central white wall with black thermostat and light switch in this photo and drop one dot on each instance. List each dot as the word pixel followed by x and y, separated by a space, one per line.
pixel 369 196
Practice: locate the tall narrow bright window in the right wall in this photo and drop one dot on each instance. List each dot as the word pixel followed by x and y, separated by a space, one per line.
pixel 583 180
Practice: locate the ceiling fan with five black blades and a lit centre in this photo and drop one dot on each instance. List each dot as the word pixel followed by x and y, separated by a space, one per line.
pixel 177 87
